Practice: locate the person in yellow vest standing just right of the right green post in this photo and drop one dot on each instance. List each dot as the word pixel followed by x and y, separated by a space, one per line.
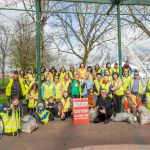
pixel 126 80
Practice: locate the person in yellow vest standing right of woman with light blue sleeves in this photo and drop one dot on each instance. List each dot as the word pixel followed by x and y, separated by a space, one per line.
pixel 58 88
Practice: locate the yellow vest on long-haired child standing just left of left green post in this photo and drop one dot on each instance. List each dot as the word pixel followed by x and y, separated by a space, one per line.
pixel 33 101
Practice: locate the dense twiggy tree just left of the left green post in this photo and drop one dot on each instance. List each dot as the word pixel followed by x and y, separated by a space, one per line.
pixel 23 44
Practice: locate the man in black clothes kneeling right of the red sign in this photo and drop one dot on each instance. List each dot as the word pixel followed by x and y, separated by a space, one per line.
pixel 104 106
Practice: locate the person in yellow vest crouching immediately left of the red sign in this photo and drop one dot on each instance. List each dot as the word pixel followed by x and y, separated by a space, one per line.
pixel 66 106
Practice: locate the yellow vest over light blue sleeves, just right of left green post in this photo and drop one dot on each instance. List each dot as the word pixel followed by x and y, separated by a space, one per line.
pixel 48 90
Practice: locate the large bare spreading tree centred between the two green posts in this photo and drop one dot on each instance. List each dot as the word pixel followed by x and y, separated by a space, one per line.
pixel 80 34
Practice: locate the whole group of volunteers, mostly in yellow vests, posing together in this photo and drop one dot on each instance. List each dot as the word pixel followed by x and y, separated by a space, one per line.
pixel 107 93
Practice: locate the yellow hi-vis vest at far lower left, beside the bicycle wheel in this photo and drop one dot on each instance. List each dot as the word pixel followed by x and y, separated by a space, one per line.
pixel 11 123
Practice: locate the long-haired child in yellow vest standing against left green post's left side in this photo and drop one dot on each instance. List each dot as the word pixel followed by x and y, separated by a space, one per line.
pixel 33 99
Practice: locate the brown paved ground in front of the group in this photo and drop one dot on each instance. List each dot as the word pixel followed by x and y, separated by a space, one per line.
pixel 58 135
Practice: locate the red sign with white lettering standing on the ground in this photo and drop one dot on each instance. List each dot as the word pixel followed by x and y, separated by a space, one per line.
pixel 80 111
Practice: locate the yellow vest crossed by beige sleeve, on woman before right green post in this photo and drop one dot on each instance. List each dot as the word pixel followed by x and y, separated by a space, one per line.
pixel 119 91
